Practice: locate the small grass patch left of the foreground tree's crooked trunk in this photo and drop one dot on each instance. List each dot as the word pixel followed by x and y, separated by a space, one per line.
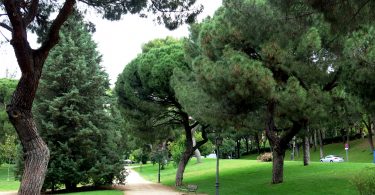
pixel 6 185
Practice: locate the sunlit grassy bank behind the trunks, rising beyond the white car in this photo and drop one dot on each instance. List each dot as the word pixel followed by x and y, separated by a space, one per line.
pixel 359 151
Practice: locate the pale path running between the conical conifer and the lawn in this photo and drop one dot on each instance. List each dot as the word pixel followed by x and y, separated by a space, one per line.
pixel 136 185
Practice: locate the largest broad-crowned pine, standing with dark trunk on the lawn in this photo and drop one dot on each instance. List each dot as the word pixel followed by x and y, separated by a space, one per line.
pixel 250 59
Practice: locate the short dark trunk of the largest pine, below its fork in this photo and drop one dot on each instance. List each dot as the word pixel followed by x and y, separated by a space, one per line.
pixel 278 166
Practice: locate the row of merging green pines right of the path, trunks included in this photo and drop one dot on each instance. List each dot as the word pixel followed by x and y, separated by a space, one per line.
pixel 286 68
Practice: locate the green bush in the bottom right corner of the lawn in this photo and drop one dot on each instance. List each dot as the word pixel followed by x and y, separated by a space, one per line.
pixel 365 181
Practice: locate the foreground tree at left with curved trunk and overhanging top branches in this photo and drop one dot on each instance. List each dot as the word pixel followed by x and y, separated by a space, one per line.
pixel 22 16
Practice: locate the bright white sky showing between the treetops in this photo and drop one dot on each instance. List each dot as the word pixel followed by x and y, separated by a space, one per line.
pixel 119 42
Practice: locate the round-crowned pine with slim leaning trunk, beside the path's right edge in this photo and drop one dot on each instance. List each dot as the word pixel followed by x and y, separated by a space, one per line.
pixel 144 87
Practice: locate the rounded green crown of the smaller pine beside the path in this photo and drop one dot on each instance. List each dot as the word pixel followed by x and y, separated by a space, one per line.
pixel 144 93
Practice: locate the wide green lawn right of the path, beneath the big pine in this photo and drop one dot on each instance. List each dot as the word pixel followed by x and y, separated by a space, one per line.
pixel 253 177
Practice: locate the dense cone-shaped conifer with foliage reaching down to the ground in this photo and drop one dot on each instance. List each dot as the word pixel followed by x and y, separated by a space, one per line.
pixel 75 114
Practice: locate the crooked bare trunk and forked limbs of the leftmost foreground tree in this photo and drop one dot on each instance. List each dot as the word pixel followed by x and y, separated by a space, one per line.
pixel 30 61
